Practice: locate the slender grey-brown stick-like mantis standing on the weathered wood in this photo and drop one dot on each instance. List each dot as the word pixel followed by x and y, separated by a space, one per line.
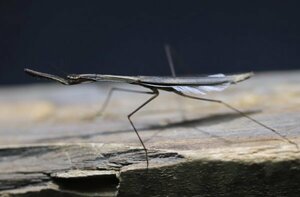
pixel 182 86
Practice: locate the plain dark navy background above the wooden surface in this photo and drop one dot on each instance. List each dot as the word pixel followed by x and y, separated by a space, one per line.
pixel 127 37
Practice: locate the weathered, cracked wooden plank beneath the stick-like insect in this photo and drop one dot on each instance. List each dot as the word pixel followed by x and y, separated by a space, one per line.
pixel 51 143
